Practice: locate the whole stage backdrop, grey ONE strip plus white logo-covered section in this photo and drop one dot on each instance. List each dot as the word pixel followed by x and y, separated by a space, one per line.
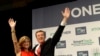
pixel 81 36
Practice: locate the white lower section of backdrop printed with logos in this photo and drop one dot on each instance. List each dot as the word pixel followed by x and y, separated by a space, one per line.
pixel 77 39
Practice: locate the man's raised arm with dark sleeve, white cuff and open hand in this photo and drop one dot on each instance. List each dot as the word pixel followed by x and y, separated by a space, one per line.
pixel 61 27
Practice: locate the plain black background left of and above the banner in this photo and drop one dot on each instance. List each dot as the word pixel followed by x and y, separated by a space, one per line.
pixel 22 13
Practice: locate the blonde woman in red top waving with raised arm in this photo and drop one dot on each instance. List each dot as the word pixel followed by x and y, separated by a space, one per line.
pixel 22 48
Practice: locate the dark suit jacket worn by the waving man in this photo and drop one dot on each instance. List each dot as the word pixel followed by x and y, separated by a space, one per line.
pixel 47 49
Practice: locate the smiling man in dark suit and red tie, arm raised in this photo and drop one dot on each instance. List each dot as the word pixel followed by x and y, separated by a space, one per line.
pixel 46 48
